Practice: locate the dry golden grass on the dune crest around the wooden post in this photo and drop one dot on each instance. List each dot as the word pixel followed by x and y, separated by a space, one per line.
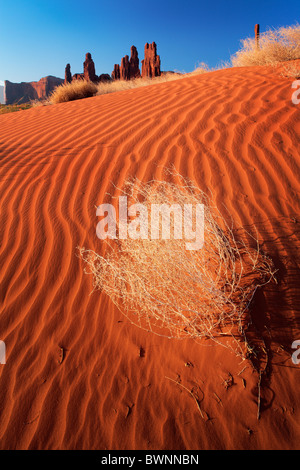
pixel 277 45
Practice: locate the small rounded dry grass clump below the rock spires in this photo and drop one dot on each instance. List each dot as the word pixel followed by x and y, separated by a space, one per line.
pixel 75 90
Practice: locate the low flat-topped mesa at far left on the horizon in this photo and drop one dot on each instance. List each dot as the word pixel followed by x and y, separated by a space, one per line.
pixel 27 91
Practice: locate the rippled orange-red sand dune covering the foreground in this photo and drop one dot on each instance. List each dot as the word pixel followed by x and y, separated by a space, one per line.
pixel 75 377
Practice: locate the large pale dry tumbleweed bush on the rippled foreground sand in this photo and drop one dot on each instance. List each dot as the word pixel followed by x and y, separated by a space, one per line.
pixel 164 288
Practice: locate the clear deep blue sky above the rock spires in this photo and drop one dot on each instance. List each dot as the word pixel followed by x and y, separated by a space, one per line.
pixel 38 38
